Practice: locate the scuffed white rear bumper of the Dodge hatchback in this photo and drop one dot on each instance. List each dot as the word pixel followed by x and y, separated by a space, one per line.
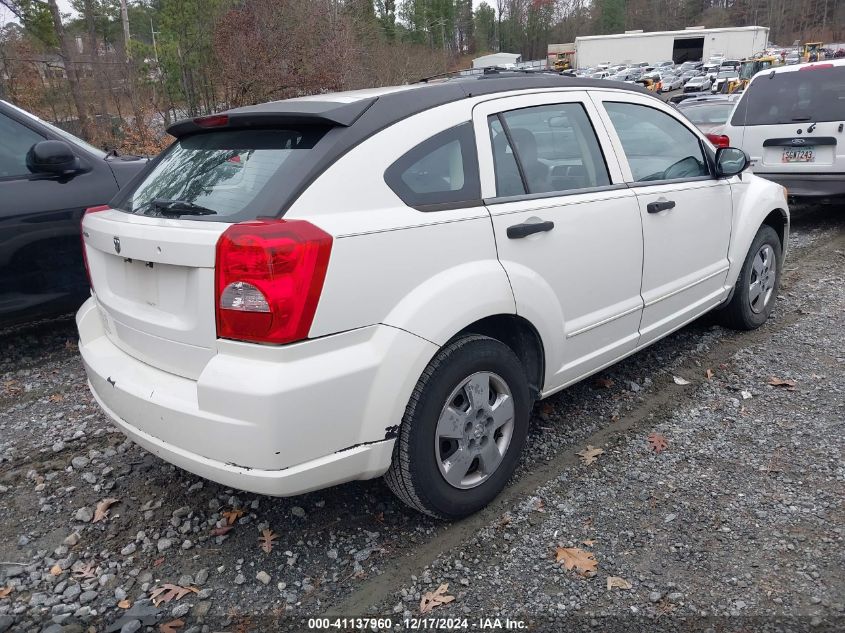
pixel 277 421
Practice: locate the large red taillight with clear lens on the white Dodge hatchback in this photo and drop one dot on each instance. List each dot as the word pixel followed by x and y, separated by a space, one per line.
pixel 269 275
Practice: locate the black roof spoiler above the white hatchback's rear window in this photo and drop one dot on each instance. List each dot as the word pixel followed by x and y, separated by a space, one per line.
pixel 277 114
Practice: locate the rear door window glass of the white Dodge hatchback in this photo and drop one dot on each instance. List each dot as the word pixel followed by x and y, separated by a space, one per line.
pixel 553 147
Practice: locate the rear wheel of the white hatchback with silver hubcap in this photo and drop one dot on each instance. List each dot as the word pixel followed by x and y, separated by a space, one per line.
pixel 422 455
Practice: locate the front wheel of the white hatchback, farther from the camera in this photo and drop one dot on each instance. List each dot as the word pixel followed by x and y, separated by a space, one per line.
pixel 757 287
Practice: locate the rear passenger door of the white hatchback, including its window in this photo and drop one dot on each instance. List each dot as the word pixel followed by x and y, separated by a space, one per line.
pixel 567 229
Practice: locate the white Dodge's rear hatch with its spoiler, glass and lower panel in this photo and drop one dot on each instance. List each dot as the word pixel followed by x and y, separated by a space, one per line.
pixel 151 257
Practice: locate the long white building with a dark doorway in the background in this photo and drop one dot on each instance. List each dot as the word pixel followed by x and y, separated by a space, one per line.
pixel 694 43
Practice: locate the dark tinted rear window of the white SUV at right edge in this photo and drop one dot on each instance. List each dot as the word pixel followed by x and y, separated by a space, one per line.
pixel 801 96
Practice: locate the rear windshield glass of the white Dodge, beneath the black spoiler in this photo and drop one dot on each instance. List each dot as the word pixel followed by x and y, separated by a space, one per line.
pixel 218 175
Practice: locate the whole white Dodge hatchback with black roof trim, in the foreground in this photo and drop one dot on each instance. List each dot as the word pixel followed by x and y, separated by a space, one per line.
pixel 313 291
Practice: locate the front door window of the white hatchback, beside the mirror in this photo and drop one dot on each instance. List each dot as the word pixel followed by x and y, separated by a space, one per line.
pixel 657 146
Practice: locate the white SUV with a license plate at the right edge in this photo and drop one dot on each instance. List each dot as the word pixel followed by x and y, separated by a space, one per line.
pixel 791 122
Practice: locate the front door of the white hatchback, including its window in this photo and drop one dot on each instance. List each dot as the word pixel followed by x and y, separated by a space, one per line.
pixel 686 212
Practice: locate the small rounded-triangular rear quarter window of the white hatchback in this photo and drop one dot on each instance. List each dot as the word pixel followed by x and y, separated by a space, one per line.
pixel 439 173
